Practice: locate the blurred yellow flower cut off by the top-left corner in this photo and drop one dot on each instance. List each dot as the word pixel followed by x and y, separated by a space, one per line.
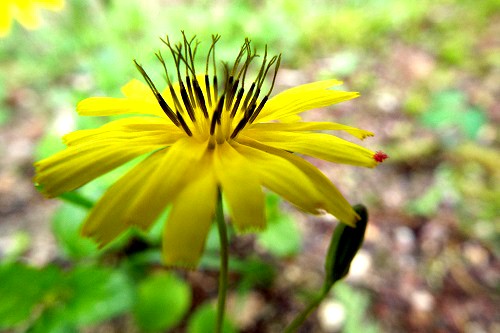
pixel 25 12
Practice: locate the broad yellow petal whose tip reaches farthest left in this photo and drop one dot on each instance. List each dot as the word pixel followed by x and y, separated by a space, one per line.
pixel 76 166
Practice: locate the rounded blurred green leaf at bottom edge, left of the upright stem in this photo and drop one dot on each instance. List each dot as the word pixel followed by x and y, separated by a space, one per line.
pixel 162 301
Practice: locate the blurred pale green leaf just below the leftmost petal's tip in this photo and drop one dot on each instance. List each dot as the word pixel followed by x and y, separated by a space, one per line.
pixel 66 225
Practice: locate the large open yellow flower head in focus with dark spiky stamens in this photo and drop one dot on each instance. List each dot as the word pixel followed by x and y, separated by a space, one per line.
pixel 198 137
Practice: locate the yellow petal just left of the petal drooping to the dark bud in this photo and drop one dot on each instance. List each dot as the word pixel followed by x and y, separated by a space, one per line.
pixel 283 178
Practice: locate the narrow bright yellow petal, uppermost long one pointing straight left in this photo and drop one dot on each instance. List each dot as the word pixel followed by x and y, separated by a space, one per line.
pixel 109 106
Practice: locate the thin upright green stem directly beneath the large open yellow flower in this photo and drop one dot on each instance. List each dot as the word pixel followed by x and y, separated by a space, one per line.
pixel 223 272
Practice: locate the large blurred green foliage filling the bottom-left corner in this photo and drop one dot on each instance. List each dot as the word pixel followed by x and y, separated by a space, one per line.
pixel 48 300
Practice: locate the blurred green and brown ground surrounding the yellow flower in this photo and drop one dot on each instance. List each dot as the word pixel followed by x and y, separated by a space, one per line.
pixel 429 77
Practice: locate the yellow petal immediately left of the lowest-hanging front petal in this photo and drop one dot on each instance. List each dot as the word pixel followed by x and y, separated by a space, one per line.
pixel 166 181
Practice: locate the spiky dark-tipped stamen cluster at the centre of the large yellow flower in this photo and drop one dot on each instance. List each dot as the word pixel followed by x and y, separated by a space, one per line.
pixel 205 110
